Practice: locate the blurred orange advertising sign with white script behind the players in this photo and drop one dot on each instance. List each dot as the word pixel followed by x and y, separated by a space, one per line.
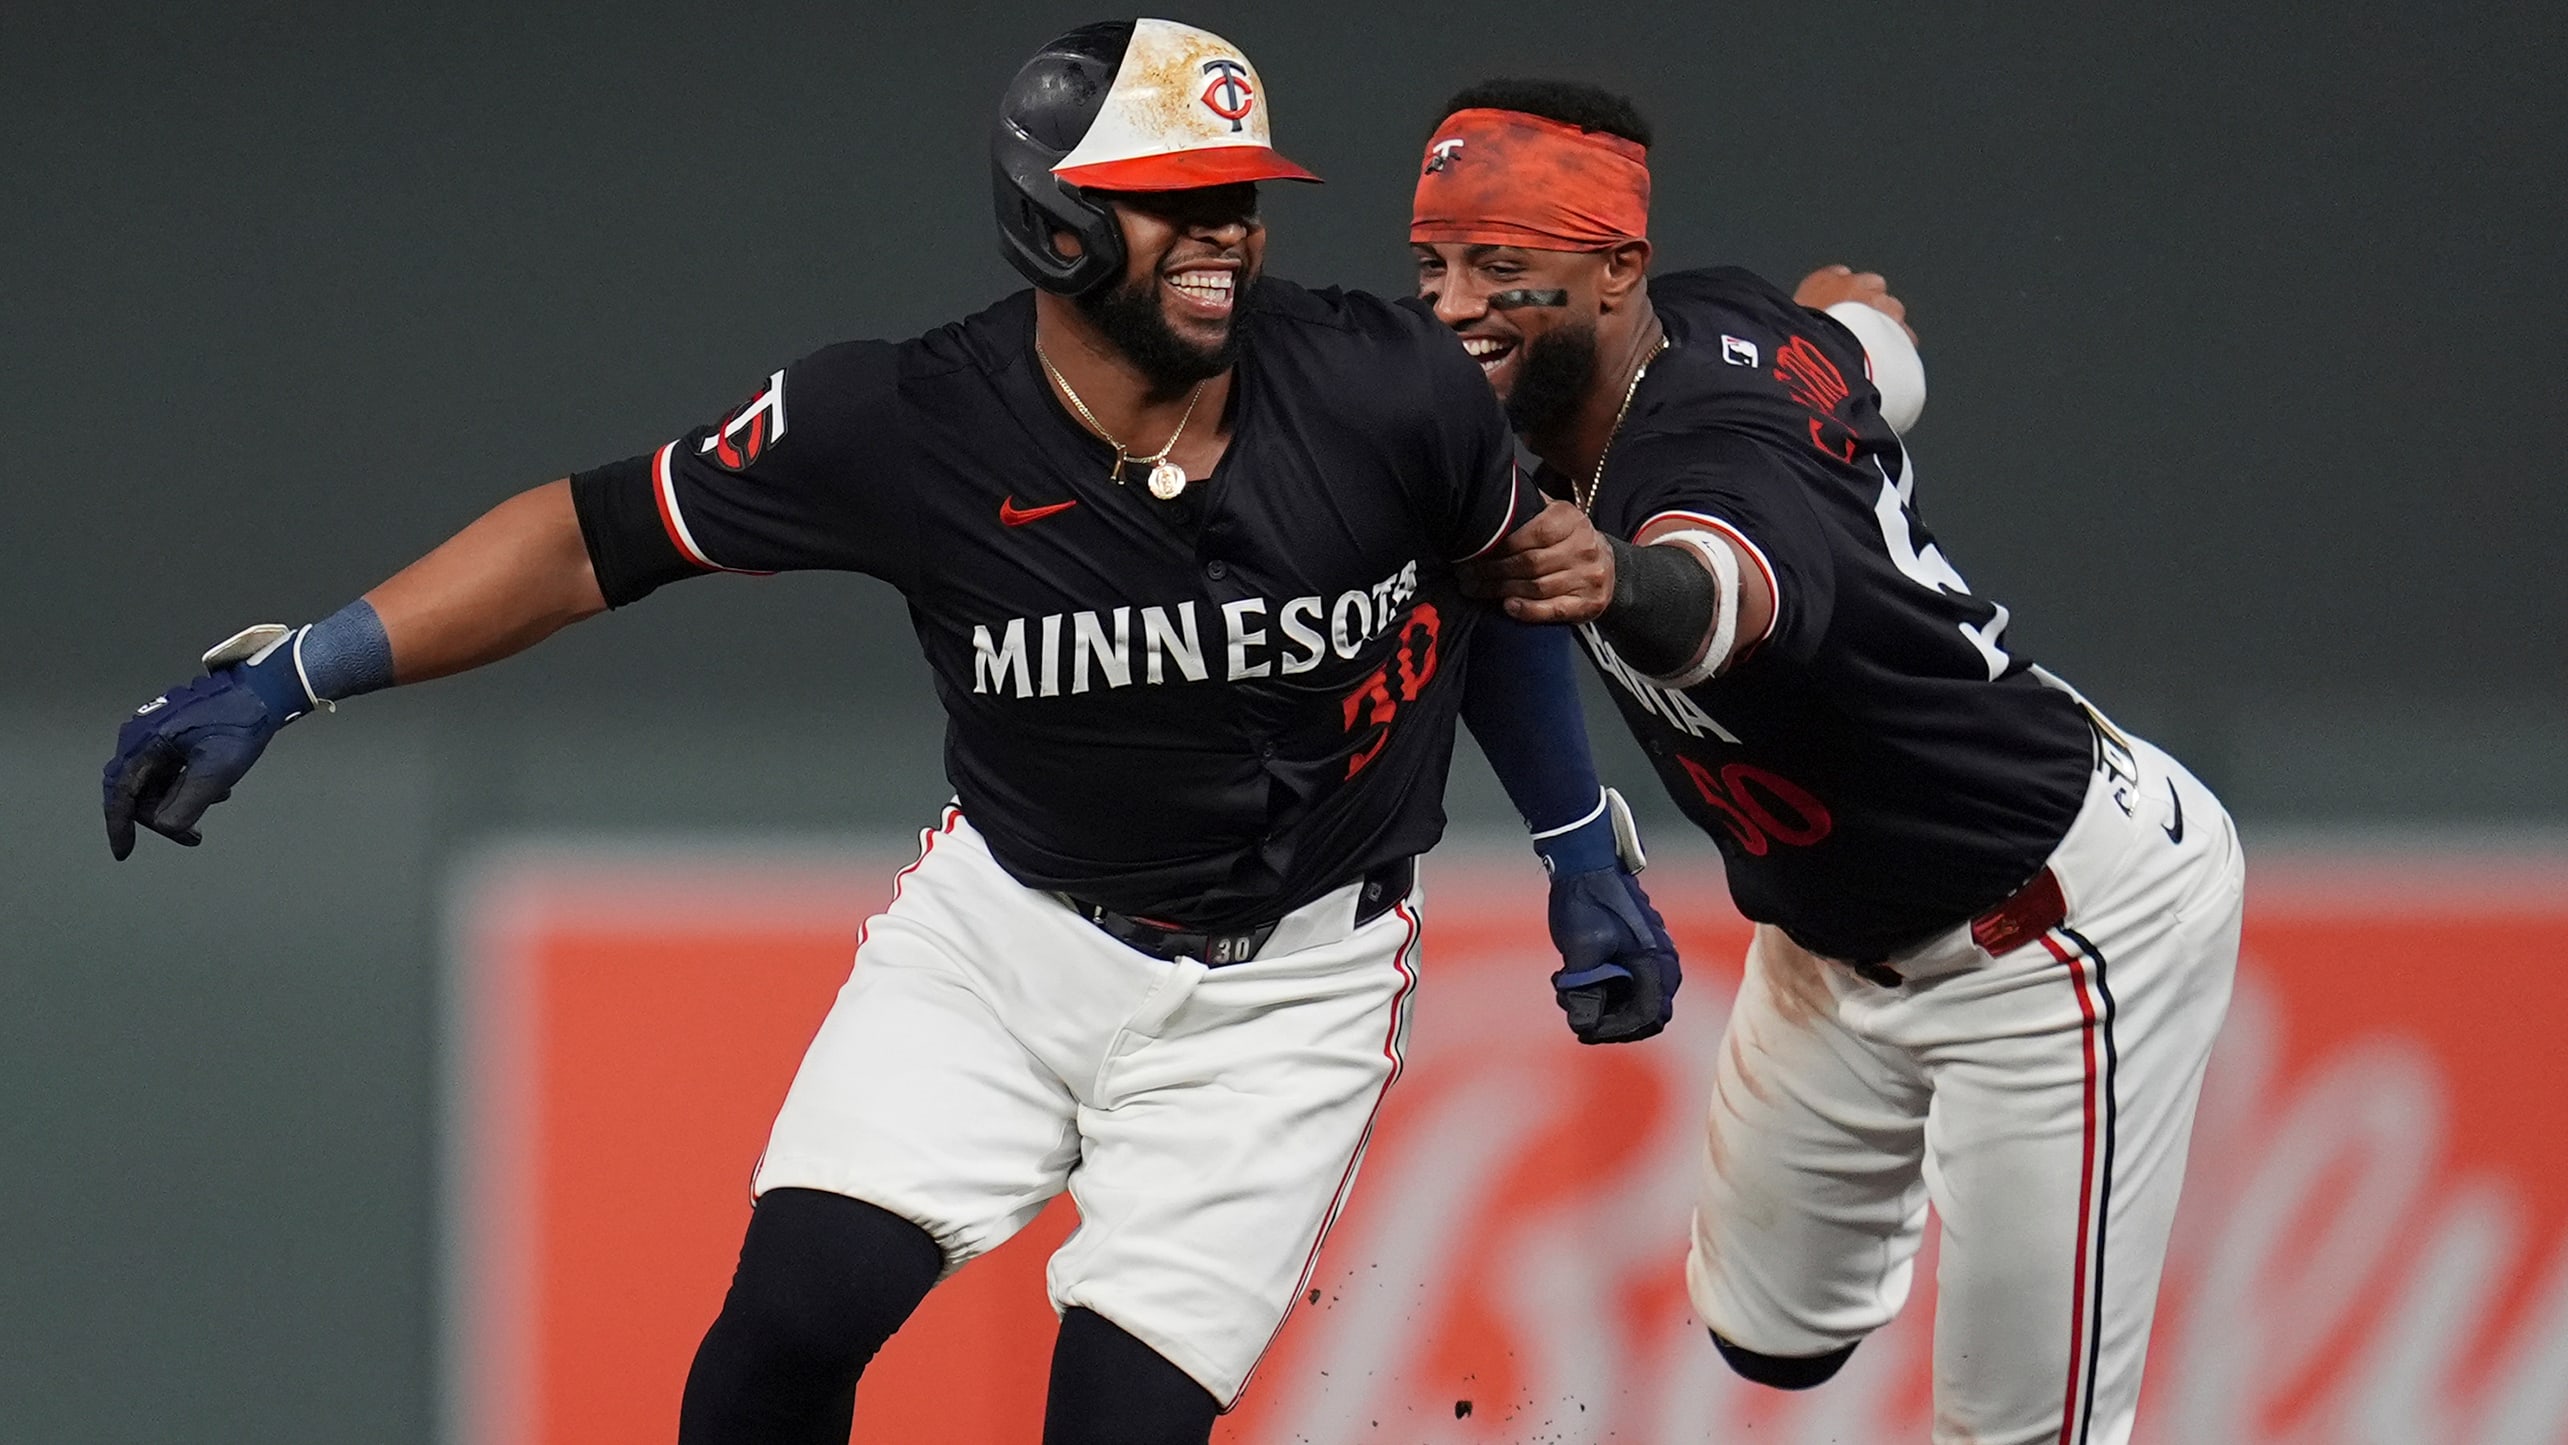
pixel 2374 1241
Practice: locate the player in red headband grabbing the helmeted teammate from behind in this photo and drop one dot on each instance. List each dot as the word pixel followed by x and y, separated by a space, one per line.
pixel 1994 933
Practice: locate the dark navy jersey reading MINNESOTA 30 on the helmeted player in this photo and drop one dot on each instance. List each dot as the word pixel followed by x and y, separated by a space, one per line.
pixel 1203 710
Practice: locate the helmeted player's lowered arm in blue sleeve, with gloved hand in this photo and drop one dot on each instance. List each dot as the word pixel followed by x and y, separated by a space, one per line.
pixel 1619 969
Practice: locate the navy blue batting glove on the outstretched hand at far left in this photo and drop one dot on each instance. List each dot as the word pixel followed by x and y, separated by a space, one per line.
pixel 181 753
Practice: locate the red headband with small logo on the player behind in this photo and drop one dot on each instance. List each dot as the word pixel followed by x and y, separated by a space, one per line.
pixel 1504 178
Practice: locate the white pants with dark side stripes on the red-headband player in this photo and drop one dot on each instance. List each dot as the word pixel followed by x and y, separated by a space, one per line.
pixel 2040 1100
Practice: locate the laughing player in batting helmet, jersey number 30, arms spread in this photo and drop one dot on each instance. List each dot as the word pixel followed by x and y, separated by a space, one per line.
pixel 1180 545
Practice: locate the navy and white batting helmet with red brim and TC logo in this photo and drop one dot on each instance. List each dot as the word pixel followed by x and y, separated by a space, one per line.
pixel 1118 107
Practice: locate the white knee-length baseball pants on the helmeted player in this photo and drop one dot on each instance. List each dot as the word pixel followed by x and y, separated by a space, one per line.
pixel 993 1048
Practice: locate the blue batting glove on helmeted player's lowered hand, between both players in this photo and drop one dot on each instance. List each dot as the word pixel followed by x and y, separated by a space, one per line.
pixel 1619 969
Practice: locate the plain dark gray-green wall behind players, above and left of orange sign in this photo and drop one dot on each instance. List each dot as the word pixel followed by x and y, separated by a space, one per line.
pixel 2246 338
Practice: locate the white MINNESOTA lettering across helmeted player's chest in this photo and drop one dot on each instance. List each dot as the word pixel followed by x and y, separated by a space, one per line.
pixel 1095 651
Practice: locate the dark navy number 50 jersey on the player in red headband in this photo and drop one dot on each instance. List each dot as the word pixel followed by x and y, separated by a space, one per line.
pixel 1881 766
